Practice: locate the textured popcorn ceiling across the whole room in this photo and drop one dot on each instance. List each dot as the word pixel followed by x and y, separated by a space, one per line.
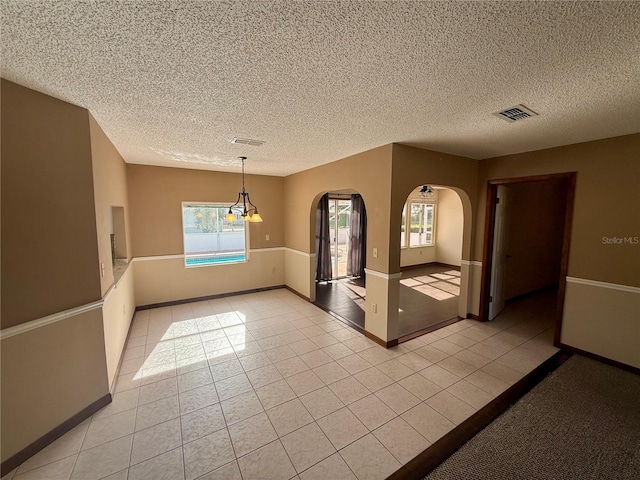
pixel 172 82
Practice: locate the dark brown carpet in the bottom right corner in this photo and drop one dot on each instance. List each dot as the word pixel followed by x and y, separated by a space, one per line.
pixel 580 422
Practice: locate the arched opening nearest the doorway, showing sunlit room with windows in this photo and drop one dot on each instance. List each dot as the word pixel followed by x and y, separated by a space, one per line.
pixel 431 240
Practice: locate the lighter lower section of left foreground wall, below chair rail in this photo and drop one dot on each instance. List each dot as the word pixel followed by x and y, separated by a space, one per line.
pixel 42 370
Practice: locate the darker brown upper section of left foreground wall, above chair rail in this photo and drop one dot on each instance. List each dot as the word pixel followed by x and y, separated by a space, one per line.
pixel 49 246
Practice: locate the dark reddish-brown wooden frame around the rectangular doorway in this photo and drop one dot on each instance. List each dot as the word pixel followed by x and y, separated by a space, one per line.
pixel 487 253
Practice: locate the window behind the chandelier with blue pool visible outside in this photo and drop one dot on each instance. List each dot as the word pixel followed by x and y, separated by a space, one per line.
pixel 209 239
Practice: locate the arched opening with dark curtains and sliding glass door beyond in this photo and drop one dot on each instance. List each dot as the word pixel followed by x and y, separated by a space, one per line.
pixel 340 255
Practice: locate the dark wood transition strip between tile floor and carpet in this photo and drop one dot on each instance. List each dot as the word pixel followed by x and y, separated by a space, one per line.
pixel 433 456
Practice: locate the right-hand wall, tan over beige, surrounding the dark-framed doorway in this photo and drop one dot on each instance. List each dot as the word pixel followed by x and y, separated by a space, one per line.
pixel 607 205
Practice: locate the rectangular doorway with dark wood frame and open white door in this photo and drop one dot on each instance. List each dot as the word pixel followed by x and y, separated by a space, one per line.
pixel 526 243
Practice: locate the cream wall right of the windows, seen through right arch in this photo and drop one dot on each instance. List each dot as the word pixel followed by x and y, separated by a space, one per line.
pixel 449 228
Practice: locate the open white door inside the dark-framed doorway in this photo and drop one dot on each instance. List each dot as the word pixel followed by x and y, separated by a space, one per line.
pixel 499 257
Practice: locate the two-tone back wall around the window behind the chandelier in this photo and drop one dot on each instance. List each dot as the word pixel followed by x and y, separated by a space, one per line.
pixel 155 205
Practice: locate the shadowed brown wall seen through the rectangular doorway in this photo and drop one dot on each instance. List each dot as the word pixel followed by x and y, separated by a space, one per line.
pixel 534 235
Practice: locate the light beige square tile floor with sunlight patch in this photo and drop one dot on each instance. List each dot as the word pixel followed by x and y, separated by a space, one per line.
pixel 267 386
